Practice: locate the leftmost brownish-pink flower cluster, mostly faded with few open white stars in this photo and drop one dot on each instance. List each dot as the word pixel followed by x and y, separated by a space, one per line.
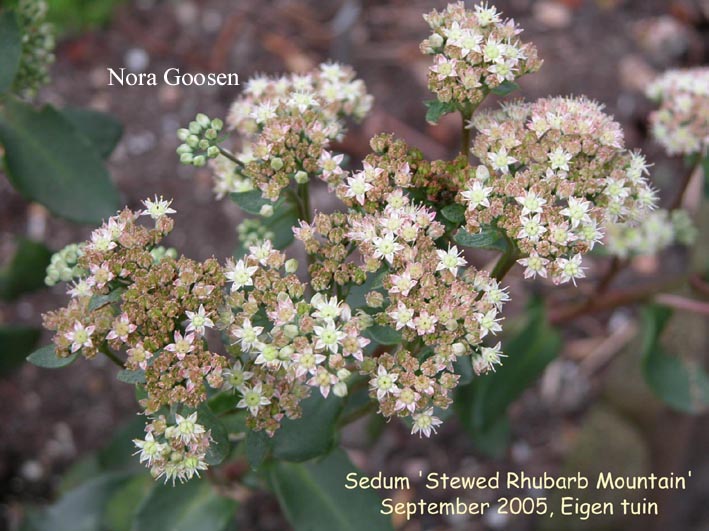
pixel 127 300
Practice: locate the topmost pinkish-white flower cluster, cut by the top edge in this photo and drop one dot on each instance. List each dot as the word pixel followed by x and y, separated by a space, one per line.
pixel 474 52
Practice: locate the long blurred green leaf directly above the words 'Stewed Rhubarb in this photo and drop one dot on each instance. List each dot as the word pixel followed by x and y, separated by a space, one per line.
pixel 484 402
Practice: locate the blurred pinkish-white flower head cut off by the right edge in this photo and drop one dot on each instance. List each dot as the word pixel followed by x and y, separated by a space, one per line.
pixel 681 124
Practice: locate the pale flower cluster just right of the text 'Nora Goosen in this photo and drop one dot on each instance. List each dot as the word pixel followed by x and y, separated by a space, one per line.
pixel 285 126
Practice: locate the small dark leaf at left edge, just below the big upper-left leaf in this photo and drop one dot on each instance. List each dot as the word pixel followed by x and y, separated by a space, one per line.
pixel 26 270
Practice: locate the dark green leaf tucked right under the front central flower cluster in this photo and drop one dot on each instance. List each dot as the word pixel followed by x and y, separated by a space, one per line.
pixel 311 435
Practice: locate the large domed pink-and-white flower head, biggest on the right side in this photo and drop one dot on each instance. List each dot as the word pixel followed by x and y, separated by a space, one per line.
pixel 552 174
